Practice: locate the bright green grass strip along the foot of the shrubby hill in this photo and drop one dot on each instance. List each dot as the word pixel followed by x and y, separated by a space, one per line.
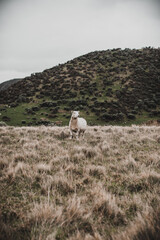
pixel 17 115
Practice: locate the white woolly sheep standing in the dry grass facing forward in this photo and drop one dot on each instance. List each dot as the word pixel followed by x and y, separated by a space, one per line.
pixel 77 125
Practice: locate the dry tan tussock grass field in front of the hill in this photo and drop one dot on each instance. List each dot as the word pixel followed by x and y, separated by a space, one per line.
pixel 105 186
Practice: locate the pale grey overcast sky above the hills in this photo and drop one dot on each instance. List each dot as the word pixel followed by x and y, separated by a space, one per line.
pixel 39 34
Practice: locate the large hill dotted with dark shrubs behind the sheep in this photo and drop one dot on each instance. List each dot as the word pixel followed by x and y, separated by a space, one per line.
pixel 113 86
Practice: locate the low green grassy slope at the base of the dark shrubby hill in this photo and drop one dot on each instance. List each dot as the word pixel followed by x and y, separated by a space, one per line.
pixel 18 114
